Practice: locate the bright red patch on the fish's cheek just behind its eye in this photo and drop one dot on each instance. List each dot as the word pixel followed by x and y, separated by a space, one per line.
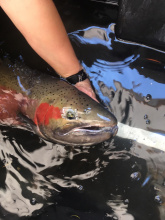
pixel 45 112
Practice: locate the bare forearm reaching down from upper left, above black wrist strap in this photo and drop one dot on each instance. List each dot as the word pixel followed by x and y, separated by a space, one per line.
pixel 41 25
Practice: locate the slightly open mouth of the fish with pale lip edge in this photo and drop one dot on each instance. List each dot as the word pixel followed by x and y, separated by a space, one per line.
pixel 94 130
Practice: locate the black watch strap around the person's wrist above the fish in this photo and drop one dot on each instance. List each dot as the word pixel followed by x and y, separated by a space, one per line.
pixel 78 77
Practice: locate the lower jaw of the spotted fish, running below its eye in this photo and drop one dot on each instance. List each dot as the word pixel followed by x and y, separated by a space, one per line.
pixel 80 135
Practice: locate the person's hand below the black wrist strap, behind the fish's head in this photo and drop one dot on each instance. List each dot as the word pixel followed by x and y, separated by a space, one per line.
pixel 85 86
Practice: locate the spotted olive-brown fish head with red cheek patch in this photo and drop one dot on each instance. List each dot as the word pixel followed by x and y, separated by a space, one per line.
pixel 73 118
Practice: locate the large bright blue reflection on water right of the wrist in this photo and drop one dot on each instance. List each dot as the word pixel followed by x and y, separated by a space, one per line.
pixel 130 79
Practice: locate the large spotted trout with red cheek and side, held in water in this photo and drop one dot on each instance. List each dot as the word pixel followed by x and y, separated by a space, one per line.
pixel 54 109
